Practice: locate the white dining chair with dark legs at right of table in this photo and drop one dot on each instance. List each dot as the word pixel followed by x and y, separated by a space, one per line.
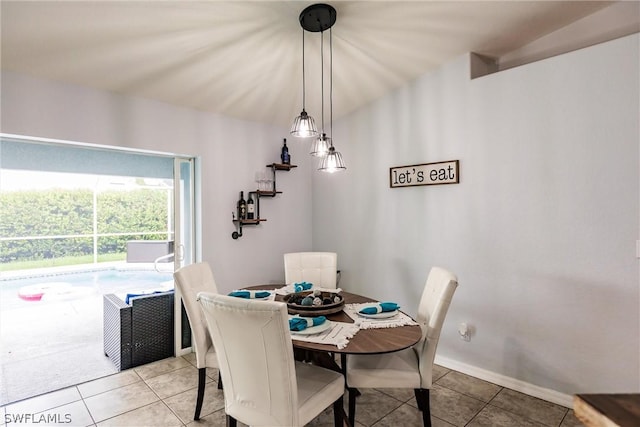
pixel 412 367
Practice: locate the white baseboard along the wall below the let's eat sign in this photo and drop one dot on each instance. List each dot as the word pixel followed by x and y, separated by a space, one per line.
pixel 549 395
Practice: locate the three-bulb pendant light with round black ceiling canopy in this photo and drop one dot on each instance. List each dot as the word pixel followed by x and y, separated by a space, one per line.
pixel 318 18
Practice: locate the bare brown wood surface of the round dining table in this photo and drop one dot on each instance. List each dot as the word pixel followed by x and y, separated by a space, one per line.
pixel 366 341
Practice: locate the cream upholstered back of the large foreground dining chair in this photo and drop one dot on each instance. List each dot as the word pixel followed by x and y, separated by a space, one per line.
pixel 255 354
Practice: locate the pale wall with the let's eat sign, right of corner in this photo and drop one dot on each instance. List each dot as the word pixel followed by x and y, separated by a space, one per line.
pixel 541 229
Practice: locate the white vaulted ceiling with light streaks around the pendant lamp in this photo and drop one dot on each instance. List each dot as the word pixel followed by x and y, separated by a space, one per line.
pixel 243 59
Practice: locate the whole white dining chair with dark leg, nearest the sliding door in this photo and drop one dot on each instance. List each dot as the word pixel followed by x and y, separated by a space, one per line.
pixel 190 280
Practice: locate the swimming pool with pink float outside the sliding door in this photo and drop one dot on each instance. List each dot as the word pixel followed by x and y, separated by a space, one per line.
pixel 39 289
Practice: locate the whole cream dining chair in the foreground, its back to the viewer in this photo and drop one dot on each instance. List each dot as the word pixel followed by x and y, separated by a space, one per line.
pixel 263 384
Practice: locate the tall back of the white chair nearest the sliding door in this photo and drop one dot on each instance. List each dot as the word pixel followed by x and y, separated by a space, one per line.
pixel 190 280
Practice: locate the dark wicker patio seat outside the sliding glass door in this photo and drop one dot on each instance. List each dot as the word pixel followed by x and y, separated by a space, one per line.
pixel 139 332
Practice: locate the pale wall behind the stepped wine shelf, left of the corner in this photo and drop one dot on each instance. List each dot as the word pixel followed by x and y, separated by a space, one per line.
pixel 231 152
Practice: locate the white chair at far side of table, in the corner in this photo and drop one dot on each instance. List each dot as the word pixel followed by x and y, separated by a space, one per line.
pixel 319 268
